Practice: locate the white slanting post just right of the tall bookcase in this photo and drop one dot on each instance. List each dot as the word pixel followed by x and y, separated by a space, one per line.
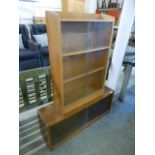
pixel 126 21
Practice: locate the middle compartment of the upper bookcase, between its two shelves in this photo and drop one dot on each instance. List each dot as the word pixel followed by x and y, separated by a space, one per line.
pixel 78 66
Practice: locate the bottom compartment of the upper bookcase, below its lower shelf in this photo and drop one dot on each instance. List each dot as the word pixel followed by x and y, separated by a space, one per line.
pixel 82 87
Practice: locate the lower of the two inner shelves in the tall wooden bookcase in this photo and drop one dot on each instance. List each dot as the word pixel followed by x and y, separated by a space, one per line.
pixel 83 75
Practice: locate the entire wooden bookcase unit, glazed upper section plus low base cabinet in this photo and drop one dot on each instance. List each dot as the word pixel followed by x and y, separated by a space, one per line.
pixel 79 51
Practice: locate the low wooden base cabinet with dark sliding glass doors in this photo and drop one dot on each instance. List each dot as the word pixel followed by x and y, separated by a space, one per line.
pixel 57 128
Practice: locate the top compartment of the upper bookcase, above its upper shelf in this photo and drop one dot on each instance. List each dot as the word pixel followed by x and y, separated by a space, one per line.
pixel 80 36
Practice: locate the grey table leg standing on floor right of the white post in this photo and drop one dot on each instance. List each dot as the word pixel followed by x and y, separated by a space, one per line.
pixel 127 73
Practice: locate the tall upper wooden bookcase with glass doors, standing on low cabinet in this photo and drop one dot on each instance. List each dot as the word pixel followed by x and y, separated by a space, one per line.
pixel 79 50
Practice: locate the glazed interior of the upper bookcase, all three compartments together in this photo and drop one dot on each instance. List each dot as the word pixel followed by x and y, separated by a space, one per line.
pixel 83 70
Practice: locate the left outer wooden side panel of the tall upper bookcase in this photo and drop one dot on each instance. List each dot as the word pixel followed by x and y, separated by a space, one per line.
pixel 55 56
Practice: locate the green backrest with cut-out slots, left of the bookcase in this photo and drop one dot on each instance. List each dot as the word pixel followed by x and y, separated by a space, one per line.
pixel 34 73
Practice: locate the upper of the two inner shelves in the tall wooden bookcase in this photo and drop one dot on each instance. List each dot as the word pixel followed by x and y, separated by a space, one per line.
pixel 85 51
